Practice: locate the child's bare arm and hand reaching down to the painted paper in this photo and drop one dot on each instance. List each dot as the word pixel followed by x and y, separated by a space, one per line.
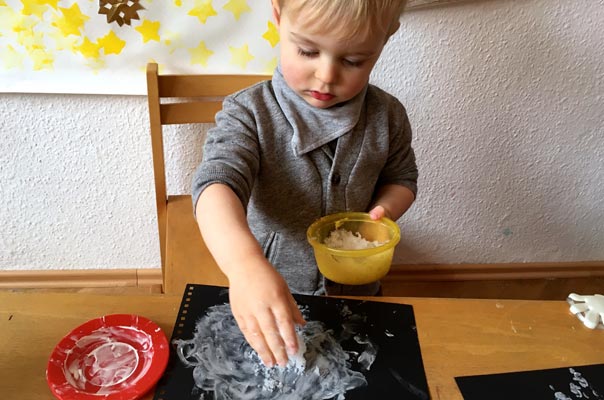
pixel 261 302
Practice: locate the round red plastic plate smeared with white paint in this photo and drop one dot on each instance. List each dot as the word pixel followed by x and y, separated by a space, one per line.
pixel 115 357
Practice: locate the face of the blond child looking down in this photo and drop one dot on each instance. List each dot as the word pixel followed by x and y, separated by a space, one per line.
pixel 322 67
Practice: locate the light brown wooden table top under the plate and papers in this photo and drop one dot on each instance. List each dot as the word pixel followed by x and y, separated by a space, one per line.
pixel 457 336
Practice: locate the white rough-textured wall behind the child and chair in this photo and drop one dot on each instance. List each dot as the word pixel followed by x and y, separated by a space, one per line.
pixel 506 99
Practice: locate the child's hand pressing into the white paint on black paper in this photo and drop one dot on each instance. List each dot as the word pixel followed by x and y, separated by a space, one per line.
pixel 266 313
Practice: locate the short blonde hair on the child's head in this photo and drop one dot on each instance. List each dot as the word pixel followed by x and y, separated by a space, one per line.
pixel 348 17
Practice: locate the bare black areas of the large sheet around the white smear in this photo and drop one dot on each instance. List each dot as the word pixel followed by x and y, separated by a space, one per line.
pixel 397 371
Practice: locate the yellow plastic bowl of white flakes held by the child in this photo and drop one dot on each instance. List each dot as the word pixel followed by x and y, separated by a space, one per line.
pixel 354 267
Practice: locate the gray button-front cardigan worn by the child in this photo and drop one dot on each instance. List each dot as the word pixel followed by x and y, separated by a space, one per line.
pixel 255 150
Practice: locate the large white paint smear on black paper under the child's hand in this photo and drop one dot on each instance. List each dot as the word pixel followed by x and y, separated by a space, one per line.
pixel 225 364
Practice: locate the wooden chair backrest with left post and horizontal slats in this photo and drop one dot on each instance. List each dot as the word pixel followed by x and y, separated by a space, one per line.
pixel 192 99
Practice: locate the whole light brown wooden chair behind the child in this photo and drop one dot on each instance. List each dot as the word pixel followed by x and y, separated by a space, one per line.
pixel 193 99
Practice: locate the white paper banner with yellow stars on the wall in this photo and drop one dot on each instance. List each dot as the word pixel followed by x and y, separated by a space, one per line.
pixel 102 47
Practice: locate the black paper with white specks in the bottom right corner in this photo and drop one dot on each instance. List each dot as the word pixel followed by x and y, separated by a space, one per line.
pixel 571 383
